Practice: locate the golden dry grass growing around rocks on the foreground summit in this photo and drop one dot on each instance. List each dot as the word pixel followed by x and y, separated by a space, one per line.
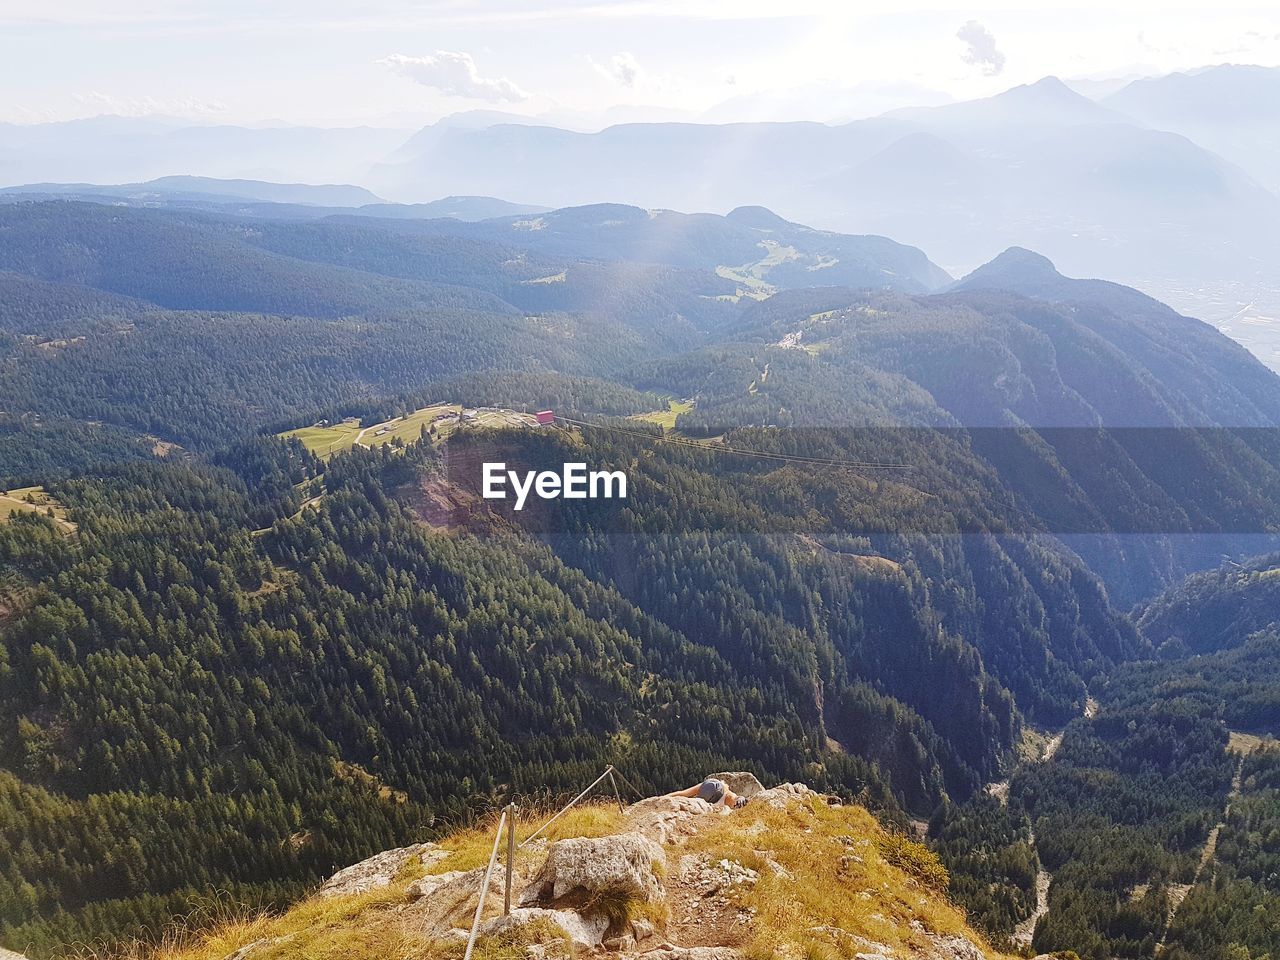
pixel 842 877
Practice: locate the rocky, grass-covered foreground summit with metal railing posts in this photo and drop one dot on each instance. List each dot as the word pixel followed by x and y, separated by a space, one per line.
pixel 790 876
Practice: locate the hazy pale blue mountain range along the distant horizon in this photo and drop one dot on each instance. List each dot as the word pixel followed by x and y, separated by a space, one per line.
pixel 1167 185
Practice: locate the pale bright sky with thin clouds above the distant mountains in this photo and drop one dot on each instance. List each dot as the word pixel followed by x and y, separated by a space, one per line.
pixel 584 63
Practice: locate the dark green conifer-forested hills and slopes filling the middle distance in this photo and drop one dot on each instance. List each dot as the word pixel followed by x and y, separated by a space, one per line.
pixel 879 538
